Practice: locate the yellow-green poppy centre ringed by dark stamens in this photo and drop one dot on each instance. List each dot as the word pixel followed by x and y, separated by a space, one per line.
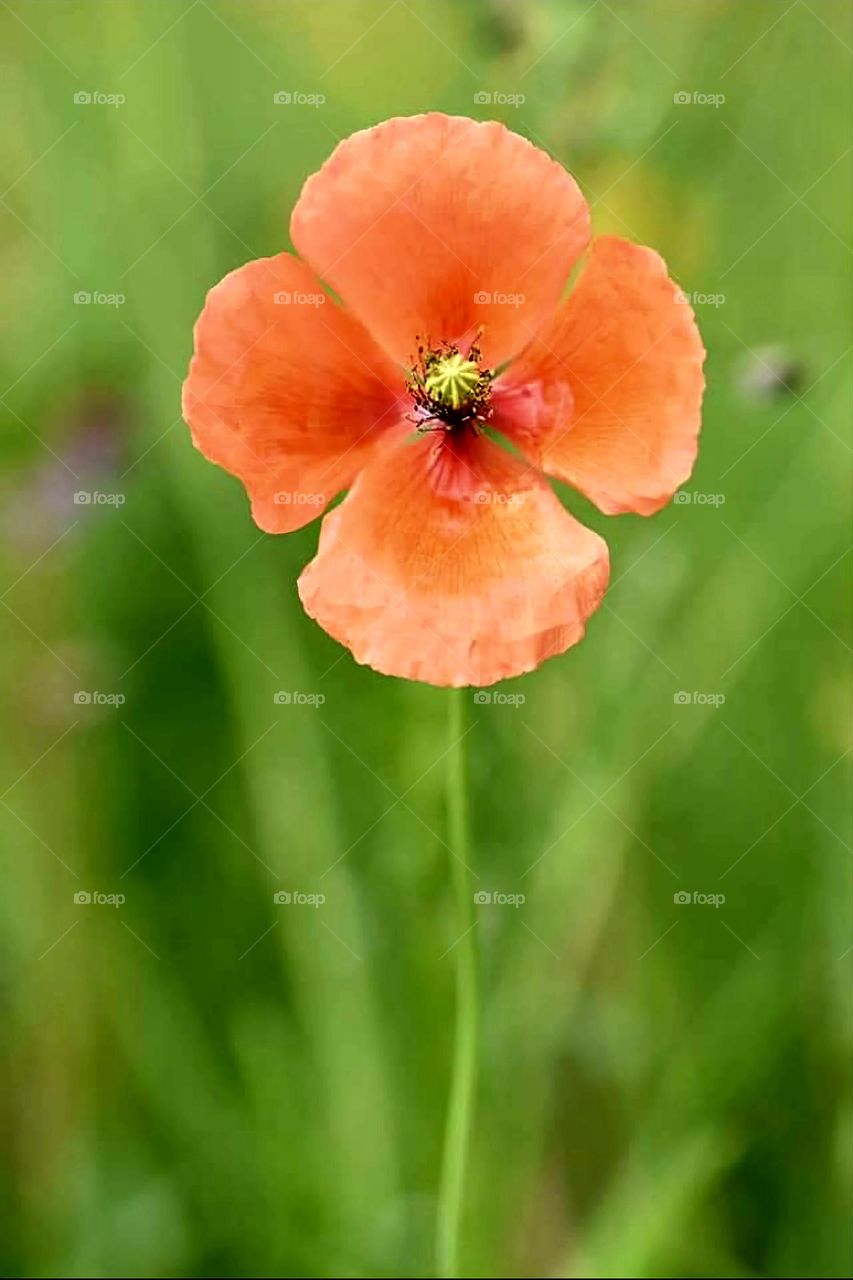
pixel 449 388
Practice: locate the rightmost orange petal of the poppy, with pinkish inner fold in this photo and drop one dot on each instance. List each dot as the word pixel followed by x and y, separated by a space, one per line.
pixel 609 396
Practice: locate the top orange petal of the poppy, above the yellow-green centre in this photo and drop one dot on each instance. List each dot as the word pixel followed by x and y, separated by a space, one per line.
pixel 432 226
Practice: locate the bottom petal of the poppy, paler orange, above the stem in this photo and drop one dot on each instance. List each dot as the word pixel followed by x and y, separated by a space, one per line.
pixel 454 565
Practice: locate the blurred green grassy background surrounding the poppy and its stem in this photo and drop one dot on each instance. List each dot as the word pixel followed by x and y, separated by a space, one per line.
pixel 204 1081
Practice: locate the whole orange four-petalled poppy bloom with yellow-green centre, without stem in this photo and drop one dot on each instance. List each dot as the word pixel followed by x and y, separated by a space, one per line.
pixel 450 244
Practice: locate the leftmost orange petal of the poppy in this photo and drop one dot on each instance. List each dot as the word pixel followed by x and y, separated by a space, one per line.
pixel 286 391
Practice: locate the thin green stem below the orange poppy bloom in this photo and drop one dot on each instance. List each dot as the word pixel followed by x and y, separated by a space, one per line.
pixel 464 1072
